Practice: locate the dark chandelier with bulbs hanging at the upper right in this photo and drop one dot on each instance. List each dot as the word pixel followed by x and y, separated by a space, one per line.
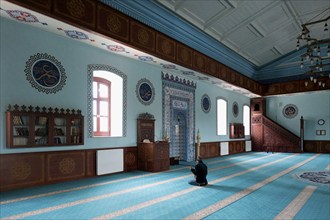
pixel 316 59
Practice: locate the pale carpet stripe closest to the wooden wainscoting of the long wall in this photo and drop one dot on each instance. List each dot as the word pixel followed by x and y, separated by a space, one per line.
pixel 106 183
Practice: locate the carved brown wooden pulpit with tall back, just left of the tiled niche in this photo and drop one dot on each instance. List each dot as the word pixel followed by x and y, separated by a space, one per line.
pixel 152 156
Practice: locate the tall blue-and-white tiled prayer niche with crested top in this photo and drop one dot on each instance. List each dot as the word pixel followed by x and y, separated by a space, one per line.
pixel 179 99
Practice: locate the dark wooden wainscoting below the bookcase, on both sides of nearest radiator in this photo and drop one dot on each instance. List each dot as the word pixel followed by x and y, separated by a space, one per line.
pixel 24 170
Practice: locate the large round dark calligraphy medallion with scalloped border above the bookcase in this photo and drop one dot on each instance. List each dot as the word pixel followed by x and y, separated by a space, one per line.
pixel 45 73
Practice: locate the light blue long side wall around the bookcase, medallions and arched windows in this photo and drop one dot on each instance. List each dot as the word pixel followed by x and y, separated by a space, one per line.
pixel 20 41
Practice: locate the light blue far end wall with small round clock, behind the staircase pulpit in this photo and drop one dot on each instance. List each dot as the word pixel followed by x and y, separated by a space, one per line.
pixel 312 106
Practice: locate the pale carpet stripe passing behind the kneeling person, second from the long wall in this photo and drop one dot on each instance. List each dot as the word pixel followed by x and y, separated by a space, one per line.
pixel 78 202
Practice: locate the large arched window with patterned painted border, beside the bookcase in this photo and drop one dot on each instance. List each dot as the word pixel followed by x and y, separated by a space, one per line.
pixel 107 97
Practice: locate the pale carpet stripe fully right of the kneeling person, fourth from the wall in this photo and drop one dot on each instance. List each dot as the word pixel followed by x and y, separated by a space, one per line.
pixel 235 197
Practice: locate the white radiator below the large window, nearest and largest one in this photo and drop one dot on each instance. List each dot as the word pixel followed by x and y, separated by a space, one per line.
pixel 109 161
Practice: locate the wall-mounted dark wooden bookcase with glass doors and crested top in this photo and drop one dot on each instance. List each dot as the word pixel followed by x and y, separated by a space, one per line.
pixel 35 126
